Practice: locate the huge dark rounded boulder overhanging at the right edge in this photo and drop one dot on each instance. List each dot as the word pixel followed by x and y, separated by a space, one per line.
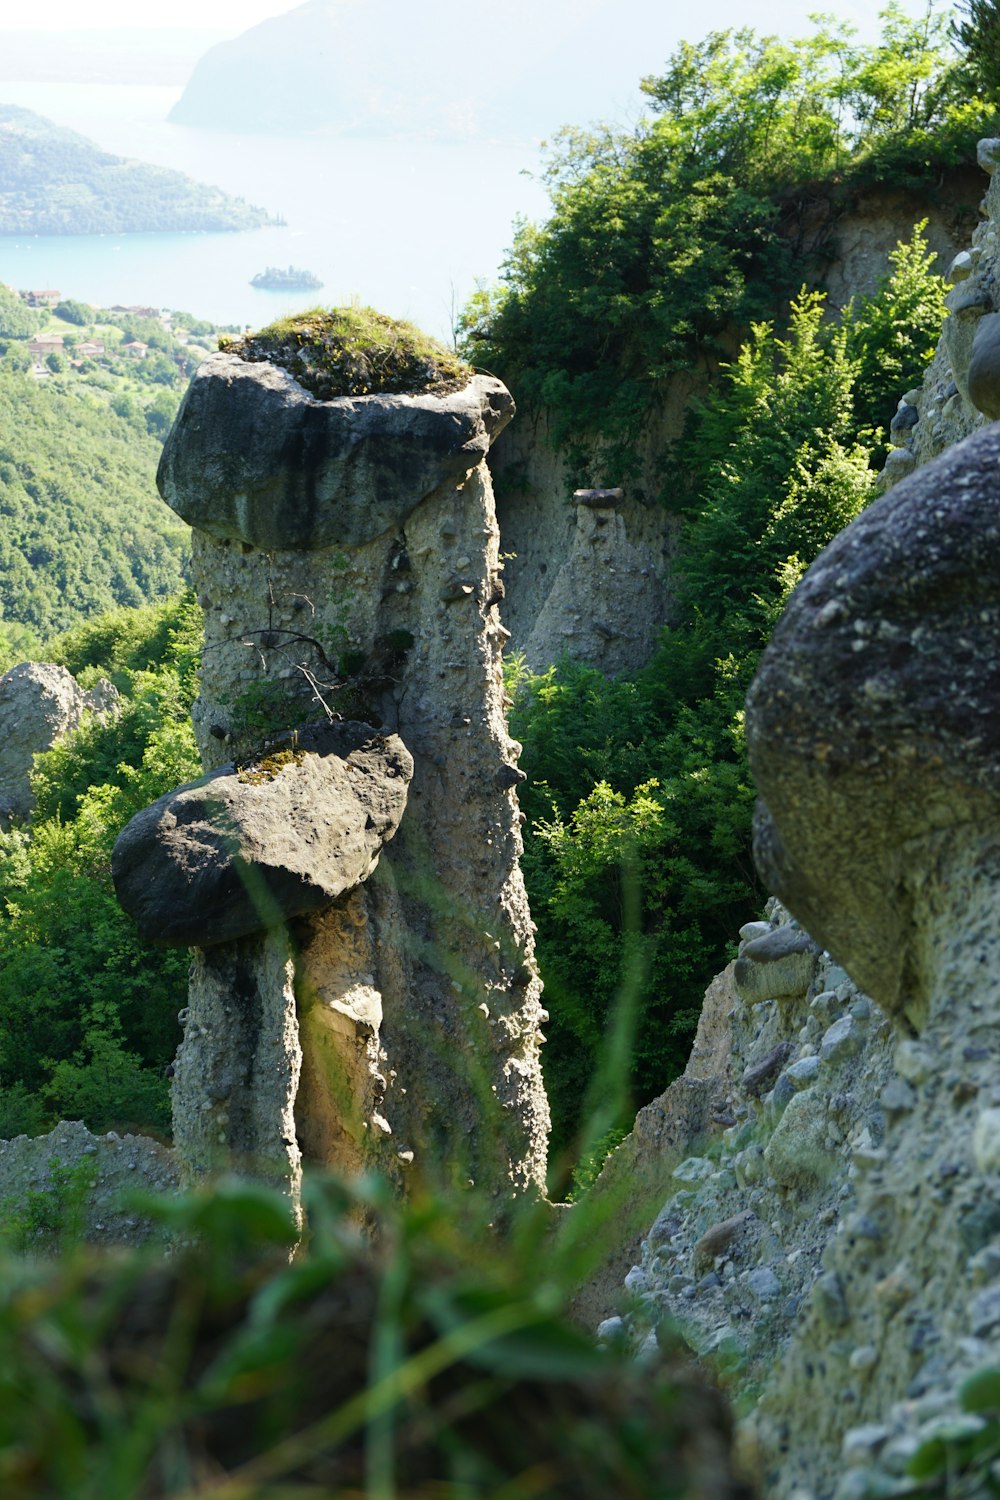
pixel 875 716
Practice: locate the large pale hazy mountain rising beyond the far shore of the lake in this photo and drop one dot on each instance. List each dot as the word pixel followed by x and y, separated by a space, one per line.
pixel 445 71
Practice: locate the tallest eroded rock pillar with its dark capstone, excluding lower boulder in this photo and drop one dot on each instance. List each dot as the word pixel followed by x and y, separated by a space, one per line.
pixel 347 556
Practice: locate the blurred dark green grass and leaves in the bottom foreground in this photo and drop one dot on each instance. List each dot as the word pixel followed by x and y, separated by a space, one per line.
pixel 439 1363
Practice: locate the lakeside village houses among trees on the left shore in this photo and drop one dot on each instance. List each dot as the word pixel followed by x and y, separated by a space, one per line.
pixel 58 347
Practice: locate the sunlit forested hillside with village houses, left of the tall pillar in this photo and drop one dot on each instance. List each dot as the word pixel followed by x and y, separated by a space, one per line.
pixel 86 400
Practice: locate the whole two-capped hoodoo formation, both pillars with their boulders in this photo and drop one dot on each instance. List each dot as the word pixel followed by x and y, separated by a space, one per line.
pixel 346 554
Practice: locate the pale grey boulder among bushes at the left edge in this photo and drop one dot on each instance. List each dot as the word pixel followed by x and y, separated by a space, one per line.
pixel 40 703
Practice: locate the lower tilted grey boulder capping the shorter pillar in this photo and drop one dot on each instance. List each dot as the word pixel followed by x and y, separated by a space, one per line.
pixel 233 854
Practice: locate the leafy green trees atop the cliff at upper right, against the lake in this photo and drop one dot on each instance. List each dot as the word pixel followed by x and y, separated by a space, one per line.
pixel 666 242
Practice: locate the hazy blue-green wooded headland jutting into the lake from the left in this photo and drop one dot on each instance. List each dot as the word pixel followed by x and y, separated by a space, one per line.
pixel 58 182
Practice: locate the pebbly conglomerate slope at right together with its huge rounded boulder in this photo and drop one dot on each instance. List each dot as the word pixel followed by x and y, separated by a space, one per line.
pixel 836 1250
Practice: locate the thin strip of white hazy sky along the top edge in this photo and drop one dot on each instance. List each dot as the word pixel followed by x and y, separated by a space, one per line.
pixel 665 19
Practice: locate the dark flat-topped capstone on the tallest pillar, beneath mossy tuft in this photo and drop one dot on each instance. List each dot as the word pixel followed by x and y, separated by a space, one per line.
pixel 256 458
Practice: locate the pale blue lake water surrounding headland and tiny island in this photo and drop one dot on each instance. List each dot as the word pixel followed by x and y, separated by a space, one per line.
pixel 407 227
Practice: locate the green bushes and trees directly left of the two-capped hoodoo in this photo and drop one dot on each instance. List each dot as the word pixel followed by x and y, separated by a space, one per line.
pixel 88 1013
